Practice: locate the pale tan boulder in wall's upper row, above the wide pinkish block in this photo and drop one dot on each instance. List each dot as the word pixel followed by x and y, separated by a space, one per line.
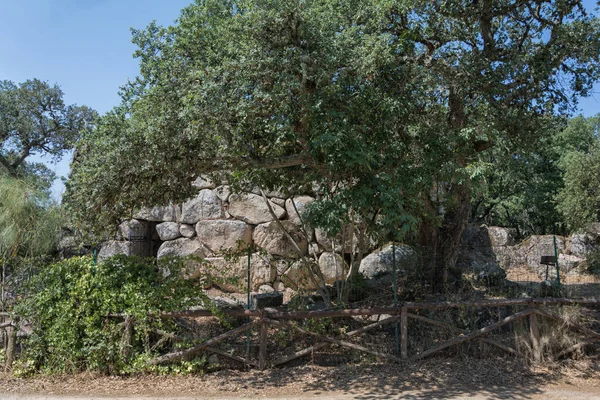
pixel 252 208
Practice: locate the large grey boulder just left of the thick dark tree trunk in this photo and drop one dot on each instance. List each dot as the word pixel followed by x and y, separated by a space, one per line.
pixel 380 263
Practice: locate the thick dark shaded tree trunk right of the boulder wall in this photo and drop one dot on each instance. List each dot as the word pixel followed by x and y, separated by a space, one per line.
pixel 441 243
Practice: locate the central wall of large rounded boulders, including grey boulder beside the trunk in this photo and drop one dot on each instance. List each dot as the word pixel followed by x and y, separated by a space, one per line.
pixel 217 224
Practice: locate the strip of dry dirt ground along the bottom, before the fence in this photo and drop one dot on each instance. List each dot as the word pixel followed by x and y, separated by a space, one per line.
pixel 440 378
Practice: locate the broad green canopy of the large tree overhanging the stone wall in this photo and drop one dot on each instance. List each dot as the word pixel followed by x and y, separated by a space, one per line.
pixel 385 106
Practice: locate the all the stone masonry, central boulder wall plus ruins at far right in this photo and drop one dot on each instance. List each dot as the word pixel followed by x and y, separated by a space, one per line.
pixel 218 226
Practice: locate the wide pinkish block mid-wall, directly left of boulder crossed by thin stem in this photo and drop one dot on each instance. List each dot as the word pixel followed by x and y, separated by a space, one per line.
pixel 224 235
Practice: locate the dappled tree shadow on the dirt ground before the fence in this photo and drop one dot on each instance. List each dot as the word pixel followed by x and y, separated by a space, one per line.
pixel 437 378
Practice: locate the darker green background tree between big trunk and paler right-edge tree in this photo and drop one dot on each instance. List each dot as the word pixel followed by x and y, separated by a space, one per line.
pixel 517 187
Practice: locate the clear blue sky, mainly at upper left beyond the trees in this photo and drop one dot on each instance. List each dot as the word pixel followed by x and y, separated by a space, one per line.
pixel 85 46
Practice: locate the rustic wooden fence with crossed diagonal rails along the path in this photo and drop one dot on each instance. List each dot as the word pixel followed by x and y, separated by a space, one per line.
pixel 269 319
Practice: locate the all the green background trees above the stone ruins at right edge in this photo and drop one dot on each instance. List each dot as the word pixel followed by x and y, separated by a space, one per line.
pixel 547 186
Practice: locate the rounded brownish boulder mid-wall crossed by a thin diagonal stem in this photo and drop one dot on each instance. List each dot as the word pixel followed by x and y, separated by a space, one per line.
pixel 272 238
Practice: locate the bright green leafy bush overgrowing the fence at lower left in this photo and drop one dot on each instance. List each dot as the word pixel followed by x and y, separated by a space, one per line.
pixel 71 304
